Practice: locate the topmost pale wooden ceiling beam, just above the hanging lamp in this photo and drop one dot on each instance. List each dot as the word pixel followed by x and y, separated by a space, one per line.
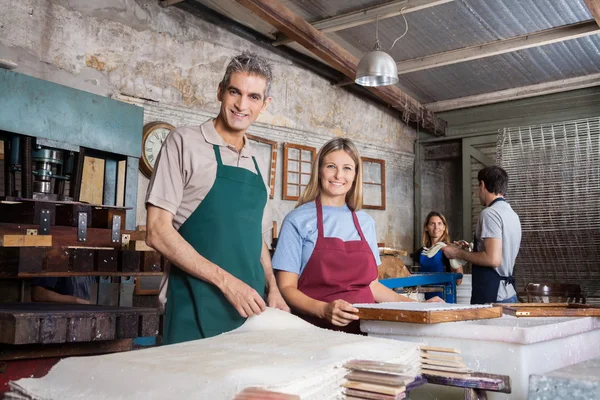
pixel 366 16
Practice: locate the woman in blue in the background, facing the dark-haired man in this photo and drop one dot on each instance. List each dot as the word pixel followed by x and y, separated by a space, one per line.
pixel 435 230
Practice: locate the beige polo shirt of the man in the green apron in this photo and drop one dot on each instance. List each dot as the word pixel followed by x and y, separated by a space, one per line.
pixel 186 169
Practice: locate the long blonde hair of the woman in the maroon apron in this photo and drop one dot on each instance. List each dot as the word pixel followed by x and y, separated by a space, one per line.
pixel 313 190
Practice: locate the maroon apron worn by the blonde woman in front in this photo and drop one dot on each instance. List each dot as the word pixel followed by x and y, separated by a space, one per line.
pixel 339 270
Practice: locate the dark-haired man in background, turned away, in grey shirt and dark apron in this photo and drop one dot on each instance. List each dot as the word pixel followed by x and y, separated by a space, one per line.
pixel 496 243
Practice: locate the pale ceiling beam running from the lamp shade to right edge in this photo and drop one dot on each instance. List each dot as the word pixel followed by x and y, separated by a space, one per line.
pixel 496 47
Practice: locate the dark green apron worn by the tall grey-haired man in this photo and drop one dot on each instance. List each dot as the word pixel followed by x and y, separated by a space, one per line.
pixel 226 229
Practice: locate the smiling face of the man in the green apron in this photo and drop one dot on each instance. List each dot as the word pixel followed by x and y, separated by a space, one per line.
pixel 242 100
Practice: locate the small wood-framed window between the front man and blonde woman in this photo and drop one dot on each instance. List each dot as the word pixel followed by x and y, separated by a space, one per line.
pixel 297 165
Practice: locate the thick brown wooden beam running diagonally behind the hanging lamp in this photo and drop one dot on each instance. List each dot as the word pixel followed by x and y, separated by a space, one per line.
pixel 339 58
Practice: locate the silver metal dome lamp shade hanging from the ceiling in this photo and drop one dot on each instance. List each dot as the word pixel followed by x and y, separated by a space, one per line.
pixel 376 68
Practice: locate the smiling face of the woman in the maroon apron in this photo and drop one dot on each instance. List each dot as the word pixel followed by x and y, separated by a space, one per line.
pixel 337 174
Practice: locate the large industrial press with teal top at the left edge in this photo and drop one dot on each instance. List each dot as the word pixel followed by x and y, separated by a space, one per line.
pixel 49 134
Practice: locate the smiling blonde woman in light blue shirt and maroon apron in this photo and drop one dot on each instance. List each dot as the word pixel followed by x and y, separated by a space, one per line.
pixel 325 261
